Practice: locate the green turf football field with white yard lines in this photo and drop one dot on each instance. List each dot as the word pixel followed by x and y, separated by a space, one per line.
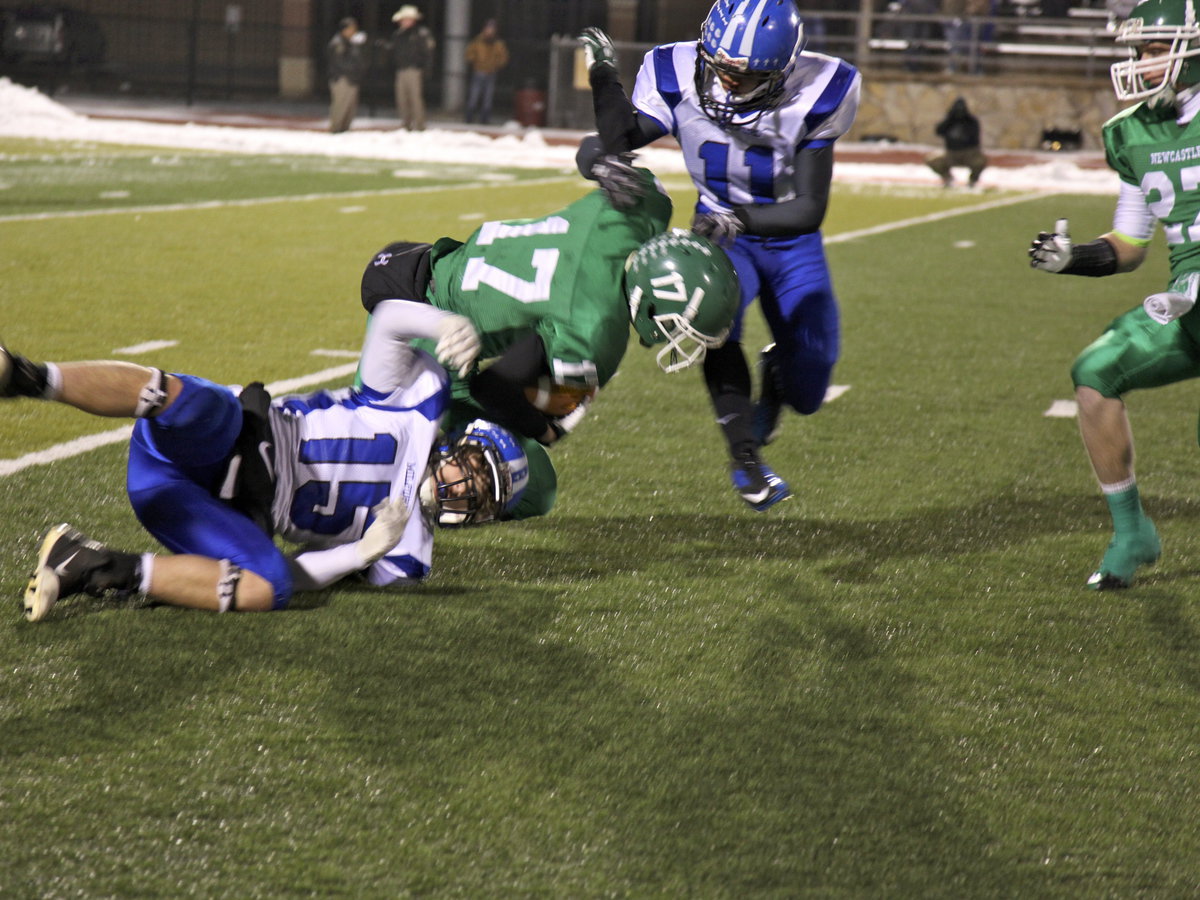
pixel 892 686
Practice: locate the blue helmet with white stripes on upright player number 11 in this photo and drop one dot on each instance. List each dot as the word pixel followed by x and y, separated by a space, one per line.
pixel 747 51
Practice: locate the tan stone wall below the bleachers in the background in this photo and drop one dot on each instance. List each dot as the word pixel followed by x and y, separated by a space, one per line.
pixel 1012 115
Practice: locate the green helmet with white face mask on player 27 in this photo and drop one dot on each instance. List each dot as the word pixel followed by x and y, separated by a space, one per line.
pixel 1171 22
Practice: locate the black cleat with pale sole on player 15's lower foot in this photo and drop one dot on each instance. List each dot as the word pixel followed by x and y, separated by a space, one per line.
pixel 69 565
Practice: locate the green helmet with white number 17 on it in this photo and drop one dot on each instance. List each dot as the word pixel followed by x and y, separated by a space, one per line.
pixel 683 292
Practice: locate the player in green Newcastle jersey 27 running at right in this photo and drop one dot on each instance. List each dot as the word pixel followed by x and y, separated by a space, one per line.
pixel 1155 148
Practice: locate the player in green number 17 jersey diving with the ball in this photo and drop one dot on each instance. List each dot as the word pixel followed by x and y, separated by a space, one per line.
pixel 554 298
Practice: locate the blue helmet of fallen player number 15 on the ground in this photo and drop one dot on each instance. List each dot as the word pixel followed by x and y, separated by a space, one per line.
pixel 489 473
